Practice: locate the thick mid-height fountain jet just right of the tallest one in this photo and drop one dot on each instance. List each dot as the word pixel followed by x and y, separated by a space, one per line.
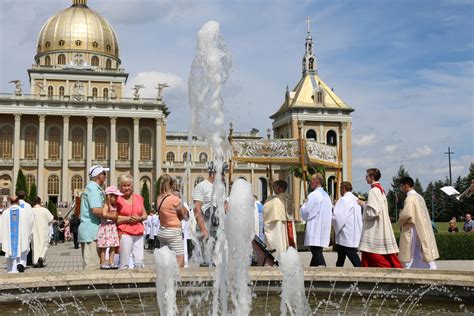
pixel 239 234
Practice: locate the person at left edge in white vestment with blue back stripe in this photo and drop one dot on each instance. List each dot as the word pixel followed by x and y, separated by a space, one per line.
pixel 15 235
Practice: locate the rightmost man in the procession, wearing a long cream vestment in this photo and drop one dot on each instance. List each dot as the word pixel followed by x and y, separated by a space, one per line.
pixel 418 248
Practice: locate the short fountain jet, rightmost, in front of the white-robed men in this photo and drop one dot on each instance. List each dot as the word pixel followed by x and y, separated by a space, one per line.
pixel 293 296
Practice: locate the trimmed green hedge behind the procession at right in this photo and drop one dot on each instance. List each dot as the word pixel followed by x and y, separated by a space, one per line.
pixel 451 246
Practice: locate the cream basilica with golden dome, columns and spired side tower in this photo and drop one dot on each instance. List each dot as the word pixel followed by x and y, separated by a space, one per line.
pixel 74 115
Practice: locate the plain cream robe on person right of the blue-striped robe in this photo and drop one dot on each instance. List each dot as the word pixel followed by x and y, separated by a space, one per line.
pixel 43 218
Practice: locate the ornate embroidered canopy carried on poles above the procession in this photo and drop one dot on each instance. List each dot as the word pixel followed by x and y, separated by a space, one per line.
pixel 284 151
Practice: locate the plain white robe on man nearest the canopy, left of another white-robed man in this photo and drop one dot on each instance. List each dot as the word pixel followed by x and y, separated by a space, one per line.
pixel 317 212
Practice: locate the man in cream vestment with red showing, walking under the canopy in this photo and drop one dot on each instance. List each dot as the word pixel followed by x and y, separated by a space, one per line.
pixel 278 220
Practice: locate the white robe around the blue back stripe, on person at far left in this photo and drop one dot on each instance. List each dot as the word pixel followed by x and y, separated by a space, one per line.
pixel 25 228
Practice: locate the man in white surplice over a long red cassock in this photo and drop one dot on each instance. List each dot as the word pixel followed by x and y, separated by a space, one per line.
pixel 378 244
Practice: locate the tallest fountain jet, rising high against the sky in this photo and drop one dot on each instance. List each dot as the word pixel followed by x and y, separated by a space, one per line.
pixel 209 72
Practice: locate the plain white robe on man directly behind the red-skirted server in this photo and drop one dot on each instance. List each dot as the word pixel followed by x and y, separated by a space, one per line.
pixel 347 221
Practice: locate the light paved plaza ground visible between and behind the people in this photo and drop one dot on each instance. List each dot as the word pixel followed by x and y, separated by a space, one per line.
pixel 64 258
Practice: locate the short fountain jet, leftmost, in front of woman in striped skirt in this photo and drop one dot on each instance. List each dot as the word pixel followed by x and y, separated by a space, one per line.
pixel 167 275
